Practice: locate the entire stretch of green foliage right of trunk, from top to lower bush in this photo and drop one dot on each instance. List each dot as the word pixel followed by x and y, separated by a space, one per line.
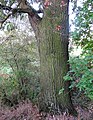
pixel 81 72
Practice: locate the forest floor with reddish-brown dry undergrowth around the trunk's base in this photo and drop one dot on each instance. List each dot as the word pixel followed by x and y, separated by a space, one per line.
pixel 27 111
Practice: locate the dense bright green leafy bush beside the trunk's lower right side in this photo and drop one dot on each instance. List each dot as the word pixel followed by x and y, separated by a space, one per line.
pixel 81 74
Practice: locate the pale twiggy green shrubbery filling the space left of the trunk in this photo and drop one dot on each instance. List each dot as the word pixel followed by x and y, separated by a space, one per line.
pixel 19 67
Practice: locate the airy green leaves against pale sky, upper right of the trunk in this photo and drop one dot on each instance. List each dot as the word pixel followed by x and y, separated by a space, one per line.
pixel 83 34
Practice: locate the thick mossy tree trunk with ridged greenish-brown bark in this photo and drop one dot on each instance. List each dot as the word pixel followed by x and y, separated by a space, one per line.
pixel 52 35
